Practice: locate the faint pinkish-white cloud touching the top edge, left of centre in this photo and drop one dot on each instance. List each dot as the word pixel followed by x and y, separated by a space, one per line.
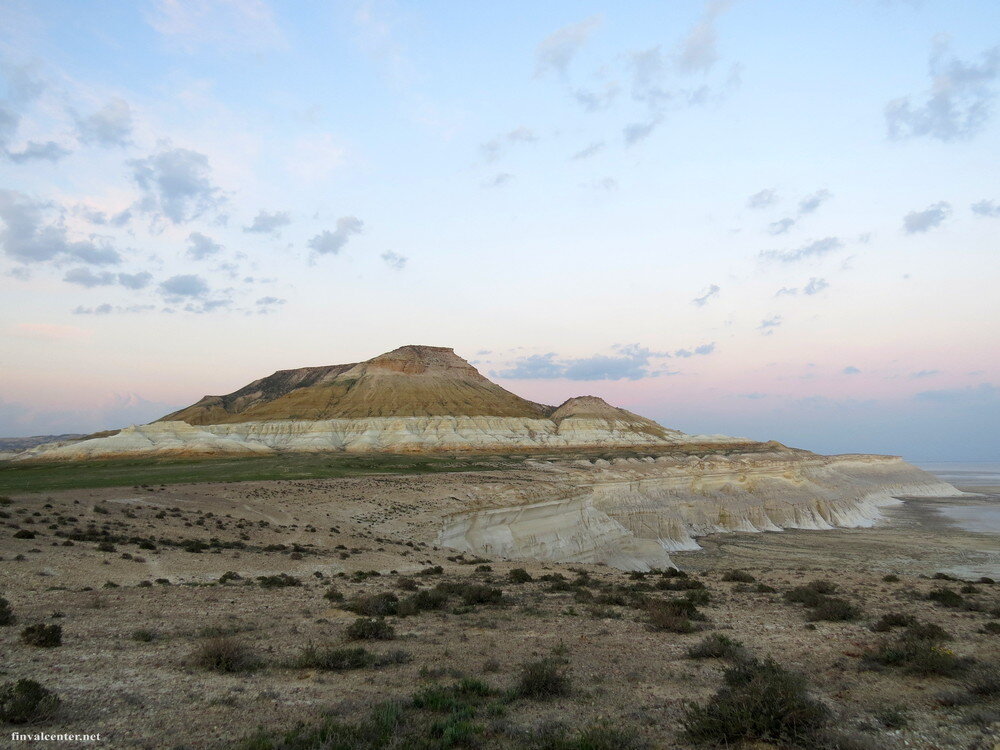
pixel 217 24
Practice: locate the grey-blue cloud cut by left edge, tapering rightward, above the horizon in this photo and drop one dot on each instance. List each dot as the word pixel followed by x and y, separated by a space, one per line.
pixel 28 237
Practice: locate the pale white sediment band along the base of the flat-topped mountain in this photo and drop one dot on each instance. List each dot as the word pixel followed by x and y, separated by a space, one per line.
pixel 365 435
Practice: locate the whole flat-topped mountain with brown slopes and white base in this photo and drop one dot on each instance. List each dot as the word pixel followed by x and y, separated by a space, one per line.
pixel 414 398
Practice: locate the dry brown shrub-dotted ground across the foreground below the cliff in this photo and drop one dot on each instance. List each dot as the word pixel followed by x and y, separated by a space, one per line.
pixel 132 576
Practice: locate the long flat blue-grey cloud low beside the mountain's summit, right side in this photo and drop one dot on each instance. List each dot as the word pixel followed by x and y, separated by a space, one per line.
pixel 631 362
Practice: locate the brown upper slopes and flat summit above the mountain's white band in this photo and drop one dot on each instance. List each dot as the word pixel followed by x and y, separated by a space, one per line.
pixel 411 381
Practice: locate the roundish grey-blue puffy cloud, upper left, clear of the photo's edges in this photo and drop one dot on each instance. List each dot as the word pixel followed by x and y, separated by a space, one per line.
pixel 176 183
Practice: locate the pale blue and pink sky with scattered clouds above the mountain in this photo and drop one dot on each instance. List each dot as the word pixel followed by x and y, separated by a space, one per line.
pixel 763 218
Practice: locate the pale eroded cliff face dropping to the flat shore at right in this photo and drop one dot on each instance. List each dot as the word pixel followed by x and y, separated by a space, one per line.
pixel 630 513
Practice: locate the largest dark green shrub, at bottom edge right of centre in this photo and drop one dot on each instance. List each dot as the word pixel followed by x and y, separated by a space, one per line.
pixel 760 701
